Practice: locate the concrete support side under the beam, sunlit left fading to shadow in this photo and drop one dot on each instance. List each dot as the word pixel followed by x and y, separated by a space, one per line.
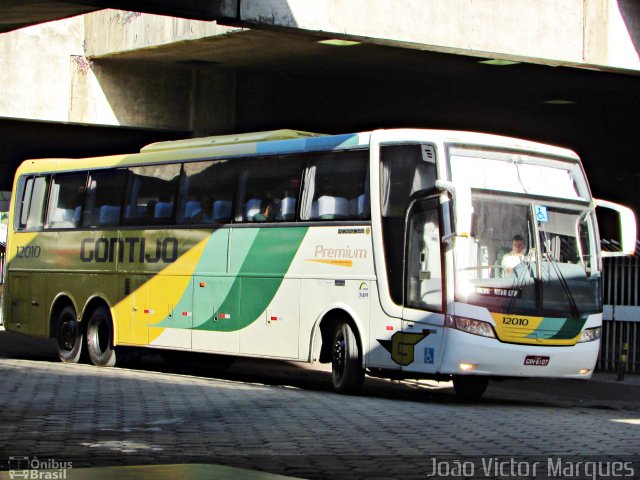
pixel 137 94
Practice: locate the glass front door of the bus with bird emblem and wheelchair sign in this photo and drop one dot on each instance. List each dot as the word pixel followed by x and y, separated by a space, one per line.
pixel 420 346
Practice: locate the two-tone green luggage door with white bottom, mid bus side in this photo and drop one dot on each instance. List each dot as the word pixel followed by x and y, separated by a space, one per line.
pixel 215 314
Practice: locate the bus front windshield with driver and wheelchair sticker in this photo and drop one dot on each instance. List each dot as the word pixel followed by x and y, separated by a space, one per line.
pixel 529 259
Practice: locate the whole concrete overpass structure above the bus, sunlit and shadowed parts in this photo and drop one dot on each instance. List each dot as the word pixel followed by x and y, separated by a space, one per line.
pixel 111 80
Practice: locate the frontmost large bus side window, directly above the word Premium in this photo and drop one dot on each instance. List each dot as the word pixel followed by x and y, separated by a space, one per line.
pixel 336 187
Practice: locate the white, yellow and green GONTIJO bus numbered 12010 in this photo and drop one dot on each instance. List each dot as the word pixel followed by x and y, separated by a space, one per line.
pixel 383 253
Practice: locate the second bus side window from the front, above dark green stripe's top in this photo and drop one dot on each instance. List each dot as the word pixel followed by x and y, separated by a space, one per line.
pixel 269 189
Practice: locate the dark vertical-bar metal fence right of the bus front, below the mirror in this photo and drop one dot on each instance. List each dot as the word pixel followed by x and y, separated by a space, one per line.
pixel 621 325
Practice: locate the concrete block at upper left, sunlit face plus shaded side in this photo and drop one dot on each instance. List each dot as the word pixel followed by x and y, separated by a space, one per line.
pixel 46 74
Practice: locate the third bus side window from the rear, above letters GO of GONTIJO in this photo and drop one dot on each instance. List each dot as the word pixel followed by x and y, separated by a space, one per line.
pixel 104 197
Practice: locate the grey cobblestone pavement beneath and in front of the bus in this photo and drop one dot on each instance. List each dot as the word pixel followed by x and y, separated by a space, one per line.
pixel 280 418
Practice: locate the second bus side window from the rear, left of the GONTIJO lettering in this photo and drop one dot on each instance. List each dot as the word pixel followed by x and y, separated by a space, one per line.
pixel 66 197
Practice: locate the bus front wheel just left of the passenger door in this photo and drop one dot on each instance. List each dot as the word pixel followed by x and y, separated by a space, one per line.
pixel 346 365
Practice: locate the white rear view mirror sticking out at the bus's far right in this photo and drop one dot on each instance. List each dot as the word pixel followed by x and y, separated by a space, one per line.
pixel 617 226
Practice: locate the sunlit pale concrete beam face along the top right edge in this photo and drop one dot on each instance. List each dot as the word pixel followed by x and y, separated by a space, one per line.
pixel 600 33
